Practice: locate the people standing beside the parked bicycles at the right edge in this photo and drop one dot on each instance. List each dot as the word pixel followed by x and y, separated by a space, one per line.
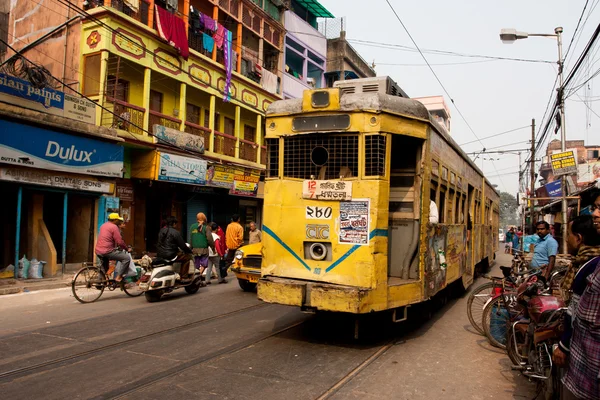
pixel 579 348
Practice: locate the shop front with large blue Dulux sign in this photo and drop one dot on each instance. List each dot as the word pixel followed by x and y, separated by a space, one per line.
pixel 53 186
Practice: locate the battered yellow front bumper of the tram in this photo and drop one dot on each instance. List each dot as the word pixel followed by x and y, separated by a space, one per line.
pixel 314 295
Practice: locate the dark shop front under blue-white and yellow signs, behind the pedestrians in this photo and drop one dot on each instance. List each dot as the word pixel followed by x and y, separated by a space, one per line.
pixel 166 184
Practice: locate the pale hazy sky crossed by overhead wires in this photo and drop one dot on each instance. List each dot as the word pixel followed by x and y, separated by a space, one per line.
pixel 493 96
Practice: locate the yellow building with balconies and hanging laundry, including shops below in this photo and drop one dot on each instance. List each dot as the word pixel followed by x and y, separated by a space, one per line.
pixel 188 147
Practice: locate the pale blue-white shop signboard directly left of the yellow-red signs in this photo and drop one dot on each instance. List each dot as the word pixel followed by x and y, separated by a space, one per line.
pixel 175 168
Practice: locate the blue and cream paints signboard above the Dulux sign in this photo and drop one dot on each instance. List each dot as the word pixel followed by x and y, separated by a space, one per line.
pixel 20 92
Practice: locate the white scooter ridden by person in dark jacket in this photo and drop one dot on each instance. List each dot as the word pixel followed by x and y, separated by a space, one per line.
pixel 164 276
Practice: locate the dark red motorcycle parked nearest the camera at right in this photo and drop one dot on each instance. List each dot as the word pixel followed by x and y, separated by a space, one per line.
pixel 532 337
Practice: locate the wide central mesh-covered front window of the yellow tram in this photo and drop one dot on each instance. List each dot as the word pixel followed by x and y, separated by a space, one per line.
pixel 341 156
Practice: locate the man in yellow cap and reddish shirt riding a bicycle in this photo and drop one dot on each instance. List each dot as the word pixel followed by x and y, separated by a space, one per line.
pixel 111 246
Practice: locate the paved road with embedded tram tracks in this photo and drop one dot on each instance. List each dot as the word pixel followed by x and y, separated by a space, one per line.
pixel 223 343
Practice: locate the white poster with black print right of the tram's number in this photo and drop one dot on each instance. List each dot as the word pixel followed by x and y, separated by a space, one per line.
pixel 354 222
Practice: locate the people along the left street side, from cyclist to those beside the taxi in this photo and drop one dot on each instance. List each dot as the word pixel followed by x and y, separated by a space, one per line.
pixel 210 248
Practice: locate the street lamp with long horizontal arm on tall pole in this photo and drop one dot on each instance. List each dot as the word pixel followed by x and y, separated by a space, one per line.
pixel 510 36
